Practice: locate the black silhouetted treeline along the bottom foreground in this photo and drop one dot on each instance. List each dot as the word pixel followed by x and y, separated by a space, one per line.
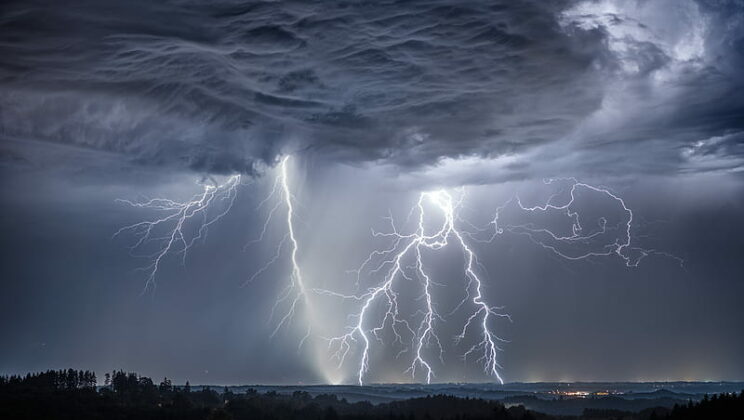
pixel 70 394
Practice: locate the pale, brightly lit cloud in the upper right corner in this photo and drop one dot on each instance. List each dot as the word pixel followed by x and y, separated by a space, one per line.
pixel 675 83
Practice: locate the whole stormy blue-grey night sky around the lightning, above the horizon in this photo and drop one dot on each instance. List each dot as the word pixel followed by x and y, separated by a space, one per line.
pixel 375 102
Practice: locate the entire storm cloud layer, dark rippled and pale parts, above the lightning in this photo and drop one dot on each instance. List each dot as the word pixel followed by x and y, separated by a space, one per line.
pixel 225 86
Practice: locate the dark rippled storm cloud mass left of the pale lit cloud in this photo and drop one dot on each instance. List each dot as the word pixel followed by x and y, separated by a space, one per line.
pixel 219 86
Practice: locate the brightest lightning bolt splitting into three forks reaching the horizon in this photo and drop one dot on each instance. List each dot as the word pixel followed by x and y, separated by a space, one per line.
pixel 424 335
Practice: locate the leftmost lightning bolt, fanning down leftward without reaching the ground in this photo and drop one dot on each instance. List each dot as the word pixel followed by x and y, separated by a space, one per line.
pixel 182 225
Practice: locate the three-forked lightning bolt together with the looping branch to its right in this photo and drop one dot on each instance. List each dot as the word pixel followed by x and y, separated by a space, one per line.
pixel 582 243
